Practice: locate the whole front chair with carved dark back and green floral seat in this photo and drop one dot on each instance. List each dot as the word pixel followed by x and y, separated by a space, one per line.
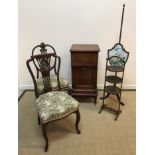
pixel 51 105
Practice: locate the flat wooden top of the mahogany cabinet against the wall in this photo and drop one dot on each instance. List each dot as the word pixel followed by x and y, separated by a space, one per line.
pixel 85 48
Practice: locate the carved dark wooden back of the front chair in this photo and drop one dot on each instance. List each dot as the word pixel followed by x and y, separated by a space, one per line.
pixel 44 64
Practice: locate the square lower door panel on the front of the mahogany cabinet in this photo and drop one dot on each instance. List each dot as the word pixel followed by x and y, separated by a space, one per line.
pixel 83 77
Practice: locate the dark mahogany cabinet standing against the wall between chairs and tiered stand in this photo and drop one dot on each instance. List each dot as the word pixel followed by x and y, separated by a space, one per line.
pixel 84 62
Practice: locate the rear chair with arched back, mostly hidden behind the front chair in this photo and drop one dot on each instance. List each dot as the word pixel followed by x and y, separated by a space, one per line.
pixel 46 48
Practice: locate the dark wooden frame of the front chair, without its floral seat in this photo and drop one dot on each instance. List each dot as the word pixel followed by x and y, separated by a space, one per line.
pixel 43 59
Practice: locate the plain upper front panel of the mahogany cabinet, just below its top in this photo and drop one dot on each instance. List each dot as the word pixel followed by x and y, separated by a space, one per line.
pixel 84 59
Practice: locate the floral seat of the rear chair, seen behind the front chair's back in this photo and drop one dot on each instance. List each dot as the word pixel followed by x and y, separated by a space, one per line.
pixel 54 83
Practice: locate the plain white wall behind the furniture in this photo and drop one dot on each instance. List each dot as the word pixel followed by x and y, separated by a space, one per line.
pixel 64 22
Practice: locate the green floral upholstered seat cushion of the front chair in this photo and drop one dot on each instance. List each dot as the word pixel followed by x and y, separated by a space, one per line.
pixel 55 105
